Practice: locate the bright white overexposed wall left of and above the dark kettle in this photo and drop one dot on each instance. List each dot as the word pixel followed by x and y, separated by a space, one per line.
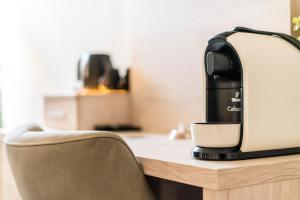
pixel 41 41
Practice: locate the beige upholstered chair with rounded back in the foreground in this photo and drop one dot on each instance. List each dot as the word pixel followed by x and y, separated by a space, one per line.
pixel 74 165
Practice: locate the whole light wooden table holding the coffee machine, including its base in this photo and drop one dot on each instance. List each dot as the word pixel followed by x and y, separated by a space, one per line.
pixel 275 178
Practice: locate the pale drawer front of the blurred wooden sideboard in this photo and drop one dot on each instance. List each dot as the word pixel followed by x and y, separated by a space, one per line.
pixel 60 112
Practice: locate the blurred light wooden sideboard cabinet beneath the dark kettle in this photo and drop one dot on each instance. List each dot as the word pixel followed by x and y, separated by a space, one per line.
pixel 75 112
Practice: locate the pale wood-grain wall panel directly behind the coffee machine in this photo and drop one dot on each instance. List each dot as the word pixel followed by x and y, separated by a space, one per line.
pixel 168 40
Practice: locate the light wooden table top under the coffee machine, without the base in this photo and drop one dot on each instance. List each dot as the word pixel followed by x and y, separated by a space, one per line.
pixel 172 160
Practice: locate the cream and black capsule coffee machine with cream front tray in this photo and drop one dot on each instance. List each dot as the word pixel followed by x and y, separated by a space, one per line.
pixel 252 103
